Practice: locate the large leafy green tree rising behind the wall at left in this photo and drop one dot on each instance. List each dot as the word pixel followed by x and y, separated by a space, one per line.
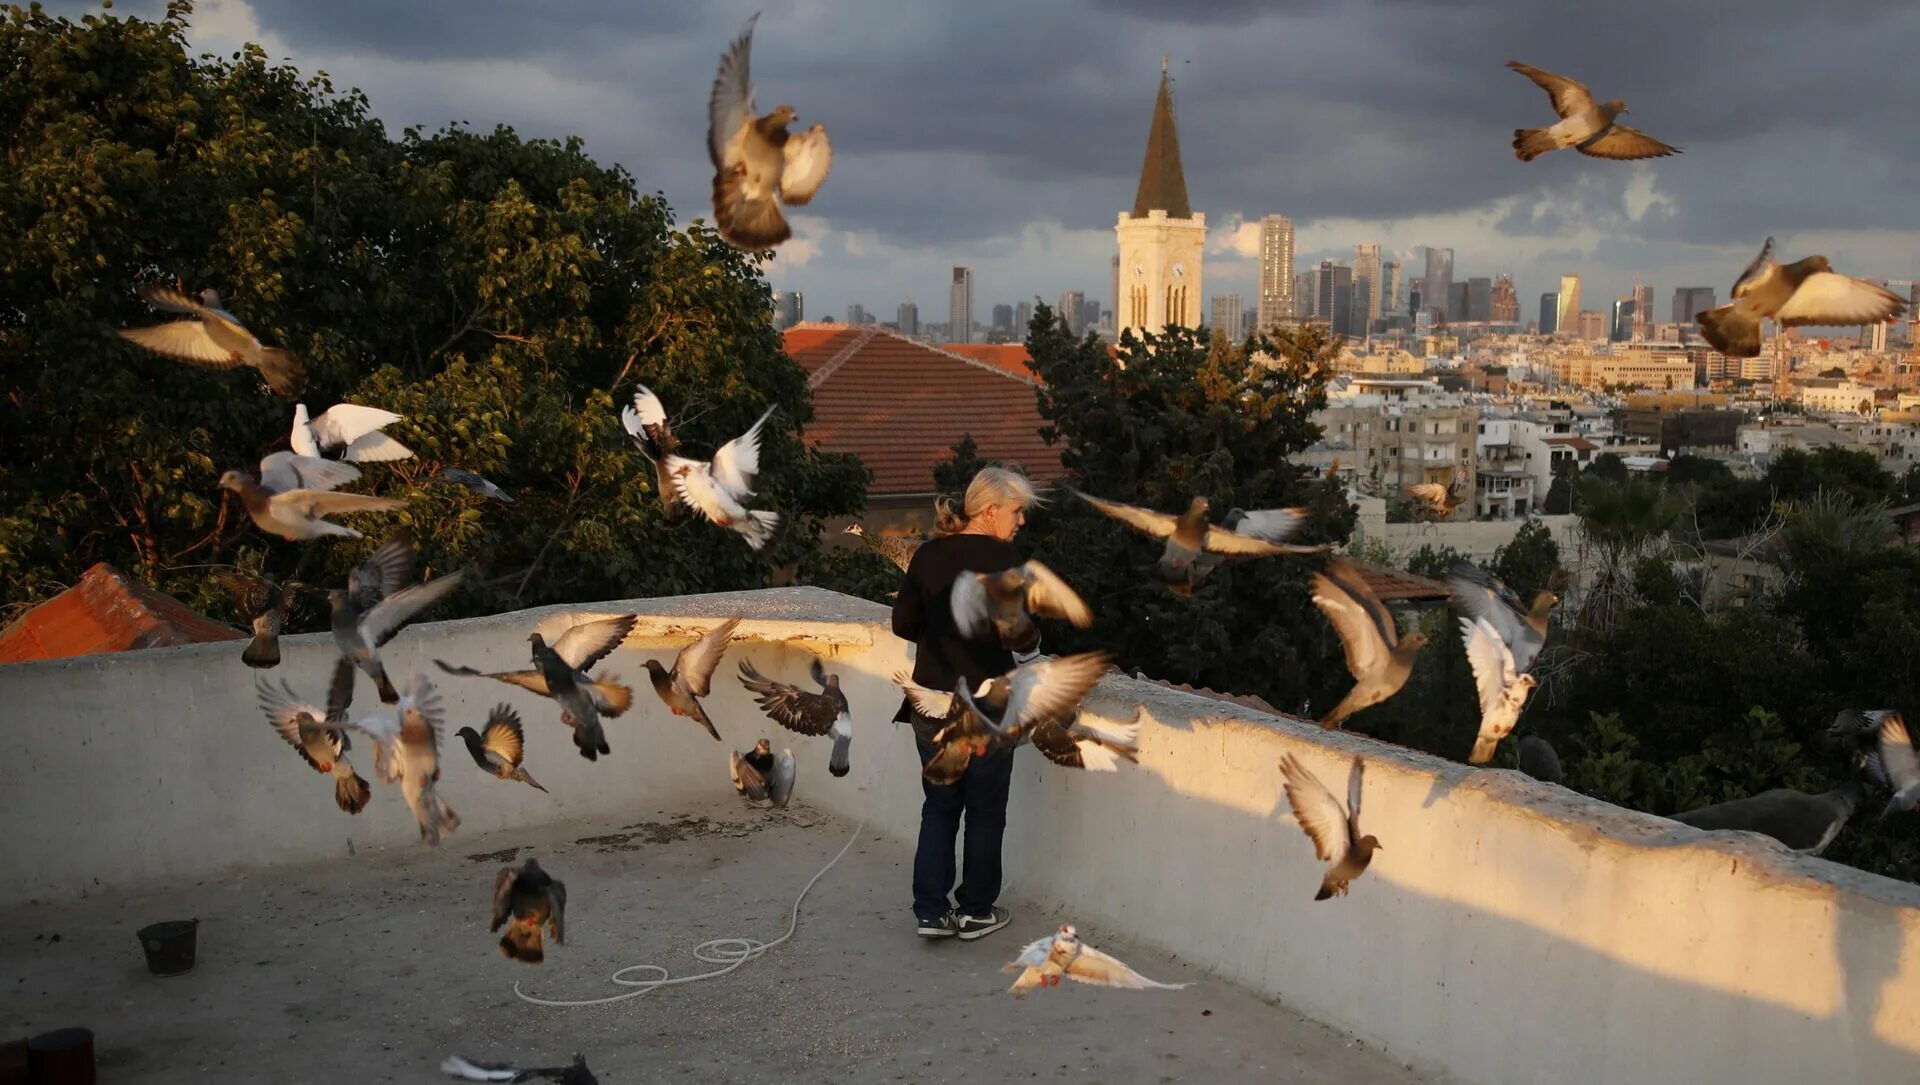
pixel 506 295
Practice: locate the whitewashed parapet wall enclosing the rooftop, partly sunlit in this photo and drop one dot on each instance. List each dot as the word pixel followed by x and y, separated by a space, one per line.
pixel 1510 932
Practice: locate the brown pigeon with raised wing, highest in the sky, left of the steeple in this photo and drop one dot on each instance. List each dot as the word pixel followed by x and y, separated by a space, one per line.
pixel 756 158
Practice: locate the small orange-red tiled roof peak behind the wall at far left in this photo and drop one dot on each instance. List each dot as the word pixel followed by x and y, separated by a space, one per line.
pixel 103 614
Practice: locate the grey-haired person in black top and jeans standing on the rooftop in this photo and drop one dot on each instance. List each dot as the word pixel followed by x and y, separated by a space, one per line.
pixel 976 537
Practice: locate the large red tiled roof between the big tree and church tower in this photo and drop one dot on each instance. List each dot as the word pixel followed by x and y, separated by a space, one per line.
pixel 901 406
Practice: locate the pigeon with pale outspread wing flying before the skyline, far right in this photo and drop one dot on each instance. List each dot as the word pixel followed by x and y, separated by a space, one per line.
pixel 1792 295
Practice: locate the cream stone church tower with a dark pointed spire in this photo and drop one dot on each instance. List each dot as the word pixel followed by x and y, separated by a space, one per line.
pixel 1164 239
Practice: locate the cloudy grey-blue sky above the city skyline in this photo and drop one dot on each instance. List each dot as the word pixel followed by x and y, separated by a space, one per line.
pixel 1007 133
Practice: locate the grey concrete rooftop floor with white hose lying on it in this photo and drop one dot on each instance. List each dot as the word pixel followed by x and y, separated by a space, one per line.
pixel 379 965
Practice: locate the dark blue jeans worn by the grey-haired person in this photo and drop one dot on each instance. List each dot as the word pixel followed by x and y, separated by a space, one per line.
pixel 982 798
